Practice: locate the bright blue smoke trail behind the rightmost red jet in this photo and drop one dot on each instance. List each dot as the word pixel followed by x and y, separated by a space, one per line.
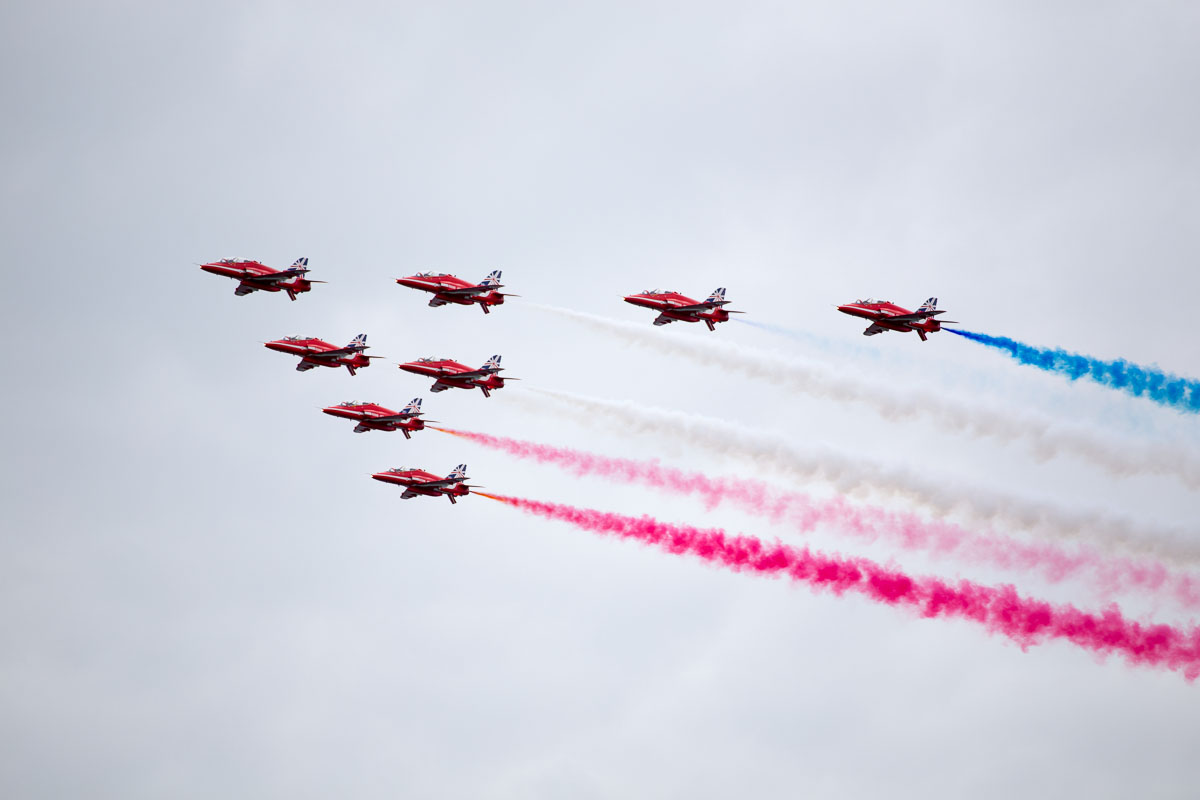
pixel 1165 389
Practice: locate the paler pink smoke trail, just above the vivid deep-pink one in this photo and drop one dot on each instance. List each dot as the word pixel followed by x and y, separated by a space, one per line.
pixel 868 522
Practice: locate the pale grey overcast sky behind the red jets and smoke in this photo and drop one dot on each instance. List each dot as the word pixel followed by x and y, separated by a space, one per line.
pixel 202 593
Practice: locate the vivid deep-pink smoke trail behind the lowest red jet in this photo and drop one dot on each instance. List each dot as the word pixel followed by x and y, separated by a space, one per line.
pixel 1000 610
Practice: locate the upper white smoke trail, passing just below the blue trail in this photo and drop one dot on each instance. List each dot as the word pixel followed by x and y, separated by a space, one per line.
pixel 1046 438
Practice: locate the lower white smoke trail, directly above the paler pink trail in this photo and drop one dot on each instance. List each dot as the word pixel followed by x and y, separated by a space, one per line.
pixel 856 477
